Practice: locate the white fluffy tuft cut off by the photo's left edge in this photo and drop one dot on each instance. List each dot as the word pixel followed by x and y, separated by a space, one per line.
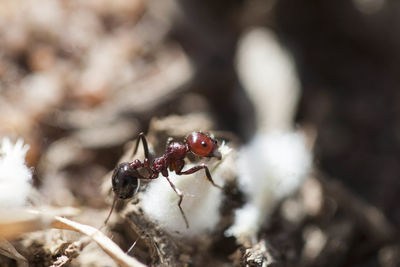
pixel 15 176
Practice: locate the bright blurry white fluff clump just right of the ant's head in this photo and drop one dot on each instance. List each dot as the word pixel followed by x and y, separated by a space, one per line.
pixel 270 167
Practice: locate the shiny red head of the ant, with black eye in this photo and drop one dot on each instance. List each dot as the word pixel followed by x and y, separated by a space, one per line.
pixel 203 145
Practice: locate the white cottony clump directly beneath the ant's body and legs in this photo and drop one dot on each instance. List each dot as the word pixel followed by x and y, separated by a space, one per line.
pixel 201 200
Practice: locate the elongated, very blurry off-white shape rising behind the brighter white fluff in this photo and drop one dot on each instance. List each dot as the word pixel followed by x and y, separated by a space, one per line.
pixel 269 76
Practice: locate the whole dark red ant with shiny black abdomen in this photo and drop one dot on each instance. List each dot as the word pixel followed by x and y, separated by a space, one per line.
pixel 126 177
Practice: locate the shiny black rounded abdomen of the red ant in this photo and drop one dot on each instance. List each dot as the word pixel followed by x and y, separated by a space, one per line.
pixel 125 183
